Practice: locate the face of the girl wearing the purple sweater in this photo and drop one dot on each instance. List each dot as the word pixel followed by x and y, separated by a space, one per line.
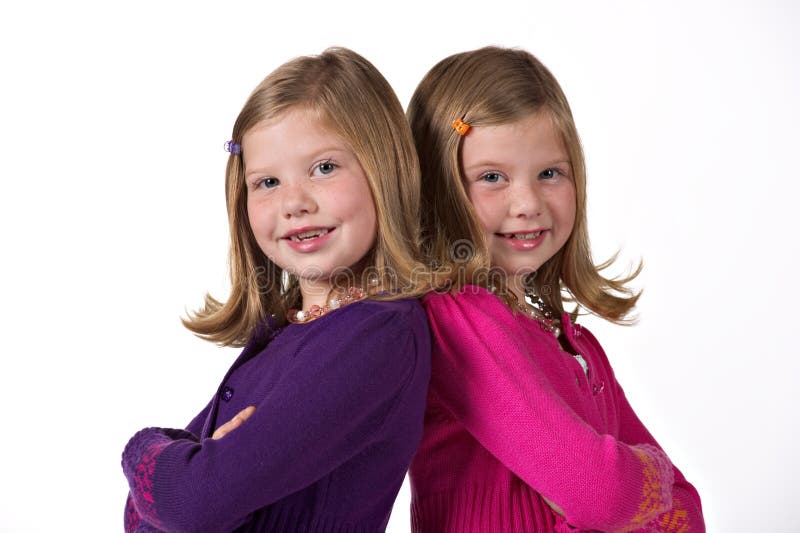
pixel 308 200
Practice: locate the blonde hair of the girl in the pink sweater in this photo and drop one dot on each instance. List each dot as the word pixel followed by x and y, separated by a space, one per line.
pixel 493 86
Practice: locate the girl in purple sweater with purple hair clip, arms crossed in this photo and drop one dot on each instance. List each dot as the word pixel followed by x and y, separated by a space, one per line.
pixel 314 425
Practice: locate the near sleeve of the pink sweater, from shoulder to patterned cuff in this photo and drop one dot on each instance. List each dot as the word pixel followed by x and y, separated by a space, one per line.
pixel 487 376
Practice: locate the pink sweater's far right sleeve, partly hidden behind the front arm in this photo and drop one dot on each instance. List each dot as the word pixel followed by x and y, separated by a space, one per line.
pixel 686 514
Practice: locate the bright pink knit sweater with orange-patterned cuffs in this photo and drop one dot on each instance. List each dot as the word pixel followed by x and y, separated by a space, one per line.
pixel 511 415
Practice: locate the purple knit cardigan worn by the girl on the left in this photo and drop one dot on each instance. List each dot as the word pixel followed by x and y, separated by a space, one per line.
pixel 339 411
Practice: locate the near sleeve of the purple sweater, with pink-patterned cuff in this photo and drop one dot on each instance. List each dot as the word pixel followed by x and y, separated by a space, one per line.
pixel 328 406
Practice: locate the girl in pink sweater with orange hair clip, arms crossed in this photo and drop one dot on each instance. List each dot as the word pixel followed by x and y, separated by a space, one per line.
pixel 526 427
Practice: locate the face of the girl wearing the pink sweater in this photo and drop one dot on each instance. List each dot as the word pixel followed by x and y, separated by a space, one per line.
pixel 518 177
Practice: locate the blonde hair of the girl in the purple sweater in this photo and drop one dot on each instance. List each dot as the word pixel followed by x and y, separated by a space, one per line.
pixel 356 103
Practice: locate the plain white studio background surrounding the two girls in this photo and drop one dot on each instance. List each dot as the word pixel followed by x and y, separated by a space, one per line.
pixel 113 219
